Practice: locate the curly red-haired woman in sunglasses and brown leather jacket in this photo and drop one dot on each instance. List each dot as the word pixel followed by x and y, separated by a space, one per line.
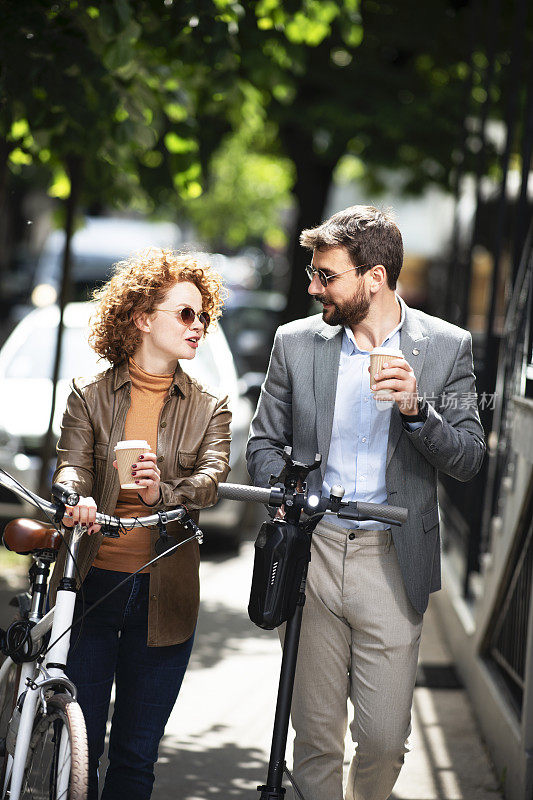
pixel 152 313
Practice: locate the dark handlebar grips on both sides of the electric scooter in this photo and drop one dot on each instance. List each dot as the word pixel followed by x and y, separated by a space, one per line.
pixel 357 510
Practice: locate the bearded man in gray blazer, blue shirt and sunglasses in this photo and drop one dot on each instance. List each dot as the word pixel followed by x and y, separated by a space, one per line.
pixel 368 585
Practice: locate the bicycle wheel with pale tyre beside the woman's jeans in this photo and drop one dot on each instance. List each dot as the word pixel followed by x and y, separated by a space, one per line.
pixel 57 766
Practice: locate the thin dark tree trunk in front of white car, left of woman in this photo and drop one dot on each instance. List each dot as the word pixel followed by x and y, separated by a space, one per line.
pixel 74 171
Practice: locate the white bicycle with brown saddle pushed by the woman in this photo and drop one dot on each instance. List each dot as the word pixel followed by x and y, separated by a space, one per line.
pixel 43 742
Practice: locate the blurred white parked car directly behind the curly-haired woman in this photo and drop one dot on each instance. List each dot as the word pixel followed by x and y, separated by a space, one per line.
pixel 26 364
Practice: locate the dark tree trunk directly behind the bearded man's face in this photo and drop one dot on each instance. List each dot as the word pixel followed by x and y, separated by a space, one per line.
pixel 311 191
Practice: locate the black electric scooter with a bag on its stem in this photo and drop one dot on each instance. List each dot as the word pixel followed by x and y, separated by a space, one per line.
pixel 282 555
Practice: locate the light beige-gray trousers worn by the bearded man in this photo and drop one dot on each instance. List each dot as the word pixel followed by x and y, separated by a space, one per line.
pixel 359 640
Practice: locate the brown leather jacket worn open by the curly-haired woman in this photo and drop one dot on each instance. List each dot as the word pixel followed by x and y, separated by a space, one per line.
pixel 193 455
